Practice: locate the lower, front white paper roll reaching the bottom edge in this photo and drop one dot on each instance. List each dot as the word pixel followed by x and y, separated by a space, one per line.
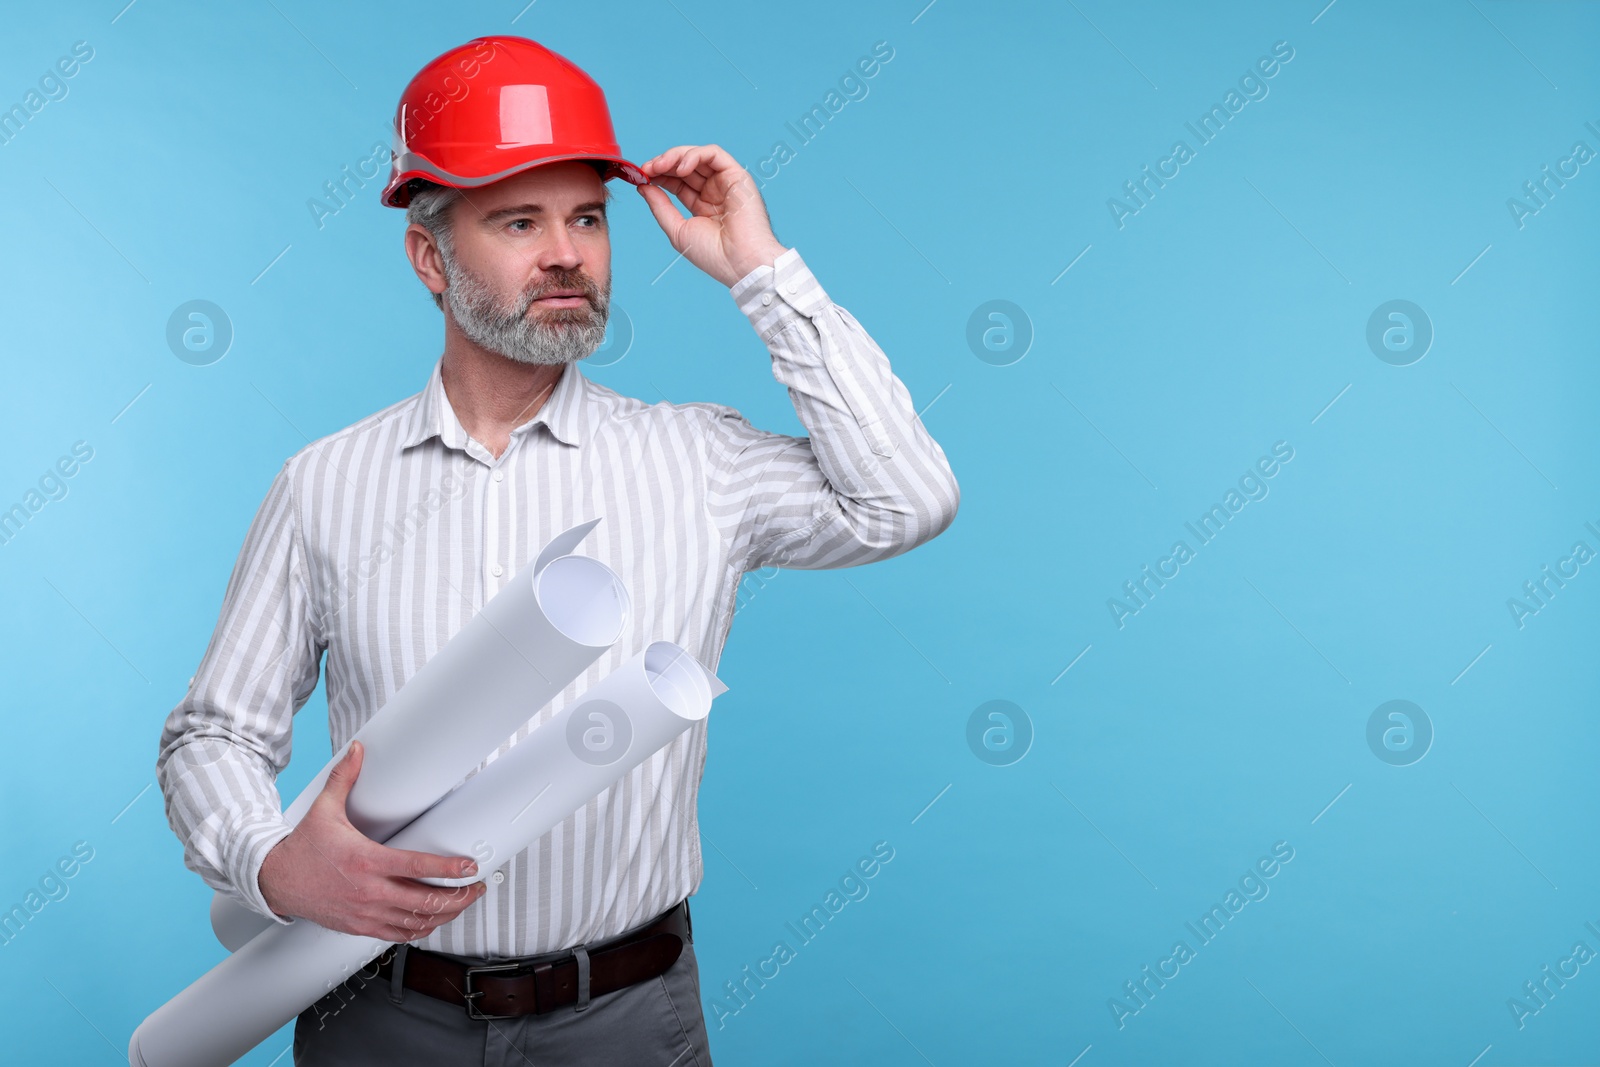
pixel 556 770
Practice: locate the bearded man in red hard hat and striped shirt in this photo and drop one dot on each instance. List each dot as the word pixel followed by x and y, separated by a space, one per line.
pixel 378 543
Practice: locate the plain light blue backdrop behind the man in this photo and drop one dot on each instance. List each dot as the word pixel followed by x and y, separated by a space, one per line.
pixel 1222 319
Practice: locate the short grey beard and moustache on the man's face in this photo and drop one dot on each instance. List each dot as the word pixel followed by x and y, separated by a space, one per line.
pixel 562 335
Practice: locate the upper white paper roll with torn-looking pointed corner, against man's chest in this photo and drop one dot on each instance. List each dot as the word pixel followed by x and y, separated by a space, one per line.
pixel 513 658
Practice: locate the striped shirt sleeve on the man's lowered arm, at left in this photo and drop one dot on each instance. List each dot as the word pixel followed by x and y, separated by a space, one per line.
pixel 228 740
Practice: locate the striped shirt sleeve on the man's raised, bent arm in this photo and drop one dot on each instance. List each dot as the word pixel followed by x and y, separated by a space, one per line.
pixel 868 484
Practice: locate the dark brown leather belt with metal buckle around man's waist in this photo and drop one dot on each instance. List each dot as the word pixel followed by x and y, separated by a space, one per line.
pixel 538 985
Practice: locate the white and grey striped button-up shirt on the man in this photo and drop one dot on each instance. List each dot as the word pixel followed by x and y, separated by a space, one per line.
pixel 378 543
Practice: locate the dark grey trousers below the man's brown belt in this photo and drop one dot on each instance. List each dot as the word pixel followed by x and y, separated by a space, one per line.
pixel 657 1023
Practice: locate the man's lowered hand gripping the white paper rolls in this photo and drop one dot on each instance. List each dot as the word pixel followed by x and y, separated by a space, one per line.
pixel 335 876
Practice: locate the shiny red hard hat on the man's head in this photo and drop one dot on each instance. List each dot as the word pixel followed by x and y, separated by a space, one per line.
pixel 494 108
